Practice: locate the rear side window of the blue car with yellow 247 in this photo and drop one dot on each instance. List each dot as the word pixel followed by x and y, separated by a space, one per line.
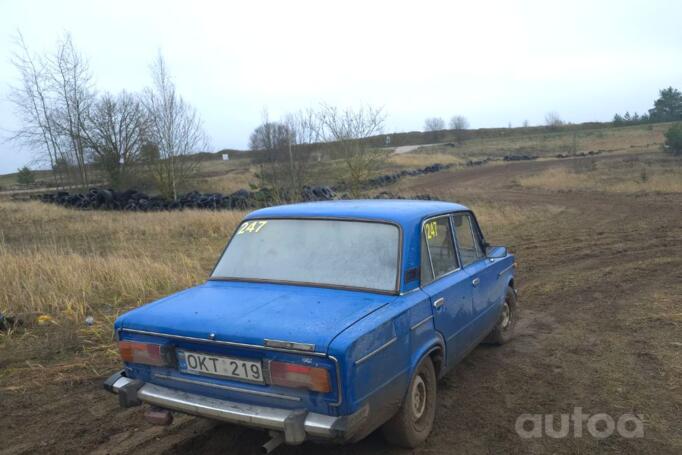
pixel 440 249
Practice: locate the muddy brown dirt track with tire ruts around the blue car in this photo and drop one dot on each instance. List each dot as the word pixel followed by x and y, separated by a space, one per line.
pixel 600 283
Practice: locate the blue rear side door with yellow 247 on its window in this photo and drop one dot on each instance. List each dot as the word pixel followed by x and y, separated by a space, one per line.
pixel 447 284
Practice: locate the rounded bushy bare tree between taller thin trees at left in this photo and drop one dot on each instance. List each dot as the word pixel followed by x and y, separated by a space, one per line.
pixel 115 133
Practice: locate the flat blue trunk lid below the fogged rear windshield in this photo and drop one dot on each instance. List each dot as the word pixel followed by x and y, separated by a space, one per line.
pixel 249 313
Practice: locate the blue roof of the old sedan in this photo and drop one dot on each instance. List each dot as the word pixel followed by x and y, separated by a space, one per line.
pixel 405 212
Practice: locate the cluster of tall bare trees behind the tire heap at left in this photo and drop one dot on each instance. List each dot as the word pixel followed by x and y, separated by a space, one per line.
pixel 127 137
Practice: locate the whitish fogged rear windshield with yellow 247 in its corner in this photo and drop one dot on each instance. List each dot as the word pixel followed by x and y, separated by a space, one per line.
pixel 355 254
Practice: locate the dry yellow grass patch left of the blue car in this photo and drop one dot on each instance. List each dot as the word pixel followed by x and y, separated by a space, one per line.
pixel 70 264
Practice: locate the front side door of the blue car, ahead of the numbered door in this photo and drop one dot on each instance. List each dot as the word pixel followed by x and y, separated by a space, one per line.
pixel 483 279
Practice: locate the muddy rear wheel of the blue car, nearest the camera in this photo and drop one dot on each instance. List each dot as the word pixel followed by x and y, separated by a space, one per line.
pixel 413 422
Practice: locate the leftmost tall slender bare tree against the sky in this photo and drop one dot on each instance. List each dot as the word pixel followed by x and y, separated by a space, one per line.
pixel 33 106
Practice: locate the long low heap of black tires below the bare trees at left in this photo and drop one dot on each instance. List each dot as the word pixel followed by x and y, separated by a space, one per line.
pixel 136 201
